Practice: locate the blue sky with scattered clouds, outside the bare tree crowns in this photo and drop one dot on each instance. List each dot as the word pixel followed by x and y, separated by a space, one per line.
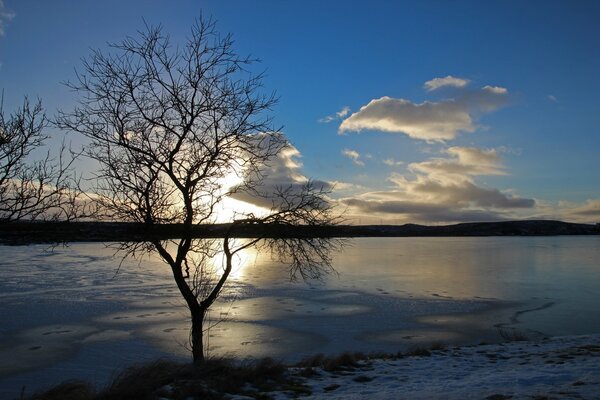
pixel 509 129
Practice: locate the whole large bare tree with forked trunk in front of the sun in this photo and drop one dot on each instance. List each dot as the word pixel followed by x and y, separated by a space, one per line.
pixel 169 125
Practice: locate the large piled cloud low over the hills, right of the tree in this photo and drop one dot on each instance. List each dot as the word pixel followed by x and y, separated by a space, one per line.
pixel 443 189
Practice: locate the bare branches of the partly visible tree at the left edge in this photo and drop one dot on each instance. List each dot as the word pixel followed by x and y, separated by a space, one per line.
pixel 33 189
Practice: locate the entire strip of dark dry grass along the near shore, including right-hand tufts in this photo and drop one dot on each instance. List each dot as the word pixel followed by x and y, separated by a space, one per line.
pixel 216 377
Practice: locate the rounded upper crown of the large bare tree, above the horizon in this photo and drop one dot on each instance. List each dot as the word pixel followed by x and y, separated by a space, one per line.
pixel 167 123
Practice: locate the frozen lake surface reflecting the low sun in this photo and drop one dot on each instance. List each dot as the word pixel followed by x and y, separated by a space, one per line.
pixel 71 312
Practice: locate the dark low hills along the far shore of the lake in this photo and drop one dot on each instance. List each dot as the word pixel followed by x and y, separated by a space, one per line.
pixel 53 232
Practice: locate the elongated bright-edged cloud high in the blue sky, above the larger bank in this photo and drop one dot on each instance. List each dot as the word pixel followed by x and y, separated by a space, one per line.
pixel 432 121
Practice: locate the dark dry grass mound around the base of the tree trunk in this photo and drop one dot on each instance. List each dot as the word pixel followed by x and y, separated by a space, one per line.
pixel 211 380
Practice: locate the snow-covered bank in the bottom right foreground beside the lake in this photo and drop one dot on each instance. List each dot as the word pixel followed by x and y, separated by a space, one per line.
pixel 563 368
